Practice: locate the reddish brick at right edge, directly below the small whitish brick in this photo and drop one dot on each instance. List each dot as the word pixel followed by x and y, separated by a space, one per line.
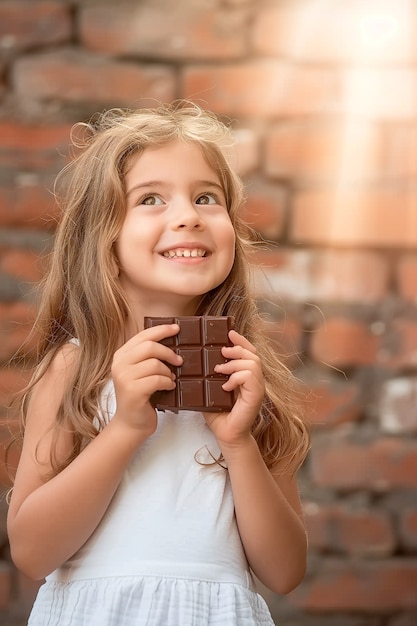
pixel 380 465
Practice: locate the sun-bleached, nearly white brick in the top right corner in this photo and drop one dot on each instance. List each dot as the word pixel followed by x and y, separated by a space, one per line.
pixel 306 31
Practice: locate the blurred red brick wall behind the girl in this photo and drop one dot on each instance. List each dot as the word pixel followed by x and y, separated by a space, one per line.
pixel 323 94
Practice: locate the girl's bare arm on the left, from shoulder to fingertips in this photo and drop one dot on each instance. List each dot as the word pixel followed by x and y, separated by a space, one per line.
pixel 49 520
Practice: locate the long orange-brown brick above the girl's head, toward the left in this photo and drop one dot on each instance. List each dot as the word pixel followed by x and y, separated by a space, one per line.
pixel 73 76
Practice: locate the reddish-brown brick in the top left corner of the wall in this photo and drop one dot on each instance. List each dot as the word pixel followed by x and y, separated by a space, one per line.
pixel 27 23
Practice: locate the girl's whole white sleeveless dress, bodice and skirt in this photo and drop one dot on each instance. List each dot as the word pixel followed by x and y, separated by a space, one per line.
pixel 167 552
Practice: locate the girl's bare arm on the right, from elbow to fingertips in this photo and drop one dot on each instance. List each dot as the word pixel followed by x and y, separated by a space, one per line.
pixel 268 508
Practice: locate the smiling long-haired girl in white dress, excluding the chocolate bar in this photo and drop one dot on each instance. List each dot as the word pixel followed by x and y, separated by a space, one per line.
pixel 137 516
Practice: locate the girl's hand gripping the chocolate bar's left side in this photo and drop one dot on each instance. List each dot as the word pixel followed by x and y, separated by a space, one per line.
pixel 139 369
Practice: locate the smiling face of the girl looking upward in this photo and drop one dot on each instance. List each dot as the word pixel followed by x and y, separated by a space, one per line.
pixel 177 241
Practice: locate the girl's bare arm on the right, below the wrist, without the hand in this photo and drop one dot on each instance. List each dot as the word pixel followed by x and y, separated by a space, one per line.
pixel 269 518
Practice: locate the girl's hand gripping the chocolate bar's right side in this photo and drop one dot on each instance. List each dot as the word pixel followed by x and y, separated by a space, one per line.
pixel 246 379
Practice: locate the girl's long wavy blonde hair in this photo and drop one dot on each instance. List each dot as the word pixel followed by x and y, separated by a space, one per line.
pixel 82 297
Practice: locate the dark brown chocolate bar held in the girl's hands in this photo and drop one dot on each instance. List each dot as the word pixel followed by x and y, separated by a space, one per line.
pixel 199 342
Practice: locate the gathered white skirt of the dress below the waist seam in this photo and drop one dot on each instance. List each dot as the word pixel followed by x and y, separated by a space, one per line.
pixel 145 600
